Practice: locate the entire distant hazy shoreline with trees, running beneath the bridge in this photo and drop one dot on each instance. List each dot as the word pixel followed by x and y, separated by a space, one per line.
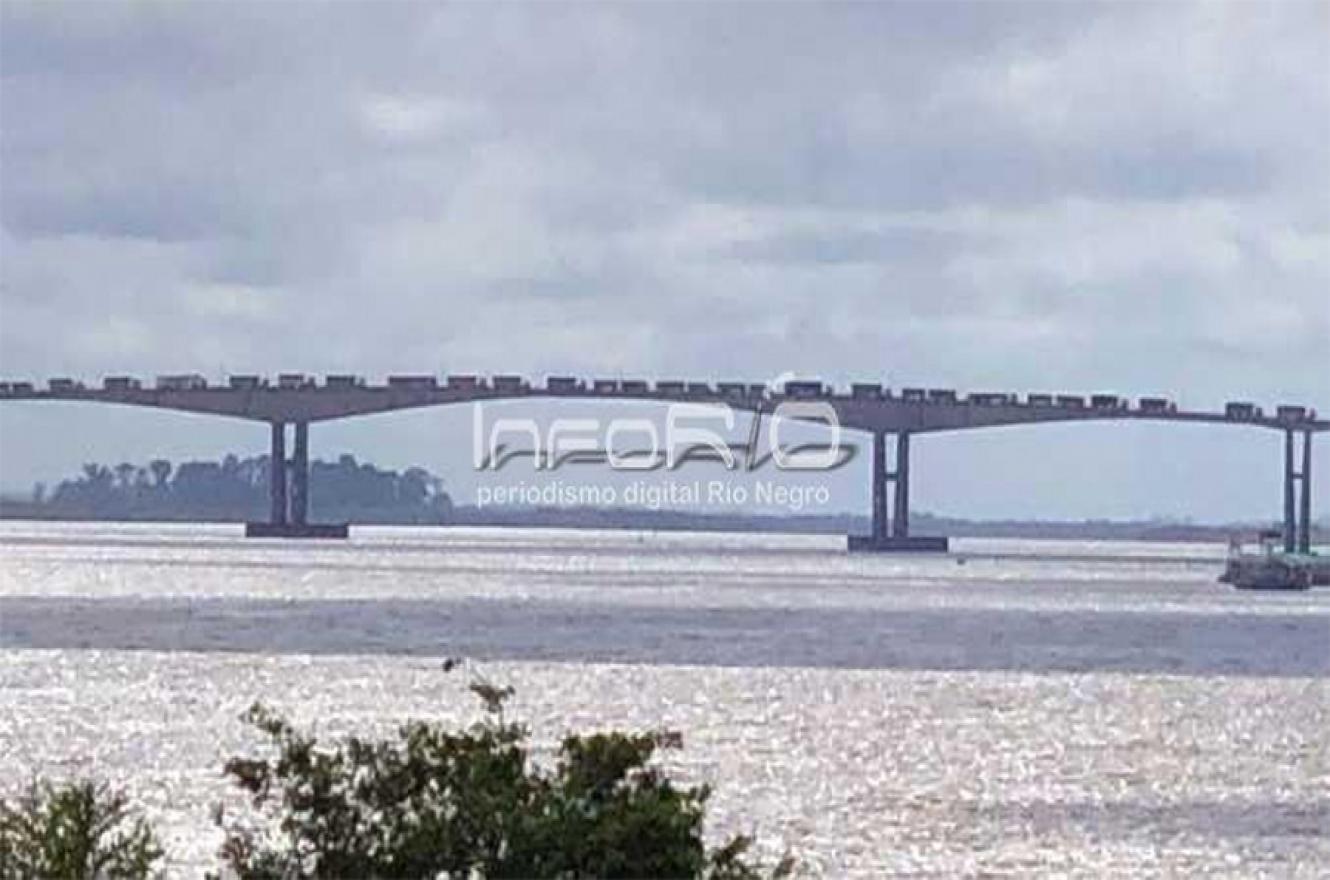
pixel 350 491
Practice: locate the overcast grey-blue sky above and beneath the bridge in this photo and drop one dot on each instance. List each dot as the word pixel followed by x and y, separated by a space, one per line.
pixel 1127 197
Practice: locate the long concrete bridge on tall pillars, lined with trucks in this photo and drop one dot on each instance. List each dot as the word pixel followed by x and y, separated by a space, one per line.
pixel 299 401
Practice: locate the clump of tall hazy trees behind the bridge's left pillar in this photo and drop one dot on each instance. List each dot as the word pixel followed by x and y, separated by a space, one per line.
pixel 237 489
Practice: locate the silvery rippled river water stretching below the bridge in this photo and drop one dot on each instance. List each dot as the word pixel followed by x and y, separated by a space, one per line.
pixel 1023 708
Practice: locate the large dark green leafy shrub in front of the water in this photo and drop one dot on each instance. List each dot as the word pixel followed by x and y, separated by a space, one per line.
pixel 471 804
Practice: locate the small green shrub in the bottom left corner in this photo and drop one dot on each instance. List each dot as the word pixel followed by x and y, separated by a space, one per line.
pixel 76 831
